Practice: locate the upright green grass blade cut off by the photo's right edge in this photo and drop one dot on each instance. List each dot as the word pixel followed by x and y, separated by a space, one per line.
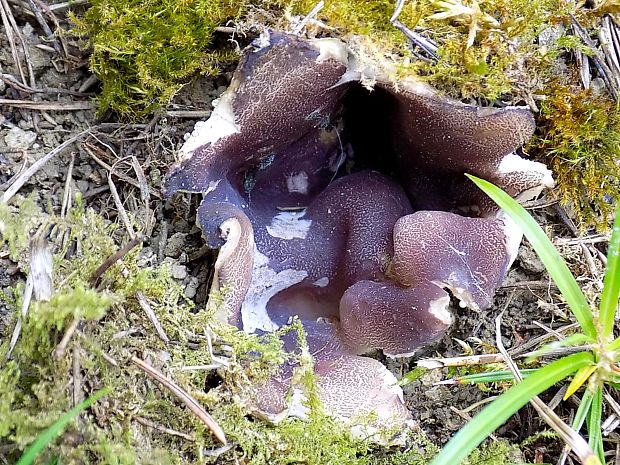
pixel 611 289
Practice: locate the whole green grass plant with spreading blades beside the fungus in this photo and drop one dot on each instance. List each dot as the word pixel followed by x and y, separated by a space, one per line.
pixel 596 365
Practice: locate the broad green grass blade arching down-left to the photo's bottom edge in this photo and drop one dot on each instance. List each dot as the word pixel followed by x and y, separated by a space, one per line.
pixel 502 408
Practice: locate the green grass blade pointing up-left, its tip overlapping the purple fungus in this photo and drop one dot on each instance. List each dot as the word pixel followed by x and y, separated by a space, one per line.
pixel 550 257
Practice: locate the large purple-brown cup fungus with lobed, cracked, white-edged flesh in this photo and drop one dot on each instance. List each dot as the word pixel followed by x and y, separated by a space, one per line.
pixel 336 193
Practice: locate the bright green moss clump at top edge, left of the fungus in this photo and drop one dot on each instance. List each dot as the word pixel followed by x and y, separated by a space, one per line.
pixel 144 51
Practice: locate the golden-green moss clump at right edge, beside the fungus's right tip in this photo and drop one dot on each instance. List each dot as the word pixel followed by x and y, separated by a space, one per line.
pixel 580 141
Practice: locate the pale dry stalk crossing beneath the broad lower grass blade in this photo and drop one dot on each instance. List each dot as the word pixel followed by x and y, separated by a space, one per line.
pixel 574 439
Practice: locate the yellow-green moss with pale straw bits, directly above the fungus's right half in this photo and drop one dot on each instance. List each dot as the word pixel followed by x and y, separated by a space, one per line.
pixel 488 49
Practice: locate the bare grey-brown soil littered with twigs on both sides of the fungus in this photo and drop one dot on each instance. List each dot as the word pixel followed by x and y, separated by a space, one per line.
pixel 528 303
